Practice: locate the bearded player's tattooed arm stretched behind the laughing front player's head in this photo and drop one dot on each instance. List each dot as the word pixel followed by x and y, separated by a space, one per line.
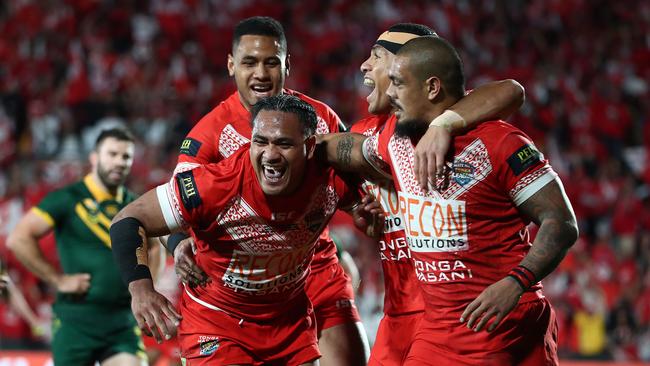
pixel 344 151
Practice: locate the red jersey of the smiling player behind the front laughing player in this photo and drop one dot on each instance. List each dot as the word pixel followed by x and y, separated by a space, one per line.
pixel 227 128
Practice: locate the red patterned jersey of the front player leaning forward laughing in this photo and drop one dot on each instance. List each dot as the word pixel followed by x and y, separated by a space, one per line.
pixel 256 248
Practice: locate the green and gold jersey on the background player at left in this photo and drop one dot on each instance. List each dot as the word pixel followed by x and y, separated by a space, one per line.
pixel 81 215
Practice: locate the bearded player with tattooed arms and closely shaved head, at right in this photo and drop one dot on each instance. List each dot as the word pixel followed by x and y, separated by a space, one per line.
pixel 468 231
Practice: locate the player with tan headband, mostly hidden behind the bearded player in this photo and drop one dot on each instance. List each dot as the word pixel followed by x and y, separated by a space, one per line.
pixel 403 304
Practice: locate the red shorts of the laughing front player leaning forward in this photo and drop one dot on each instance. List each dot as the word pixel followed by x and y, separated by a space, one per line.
pixel 212 337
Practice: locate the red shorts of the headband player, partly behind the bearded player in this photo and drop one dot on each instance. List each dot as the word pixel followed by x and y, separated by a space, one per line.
pixel 394 337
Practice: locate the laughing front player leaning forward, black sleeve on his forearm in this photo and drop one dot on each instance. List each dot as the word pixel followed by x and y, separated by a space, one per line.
pixel 255 218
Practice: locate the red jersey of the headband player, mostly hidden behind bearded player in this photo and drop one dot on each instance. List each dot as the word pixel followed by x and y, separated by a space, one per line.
pixel 402 294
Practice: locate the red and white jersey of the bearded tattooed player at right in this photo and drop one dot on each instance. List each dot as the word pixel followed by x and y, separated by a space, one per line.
pixel 467 234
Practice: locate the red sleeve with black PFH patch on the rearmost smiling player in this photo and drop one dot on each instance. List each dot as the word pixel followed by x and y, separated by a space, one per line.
pixel 199 146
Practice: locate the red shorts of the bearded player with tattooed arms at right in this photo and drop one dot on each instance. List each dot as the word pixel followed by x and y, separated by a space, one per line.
pixel 528 336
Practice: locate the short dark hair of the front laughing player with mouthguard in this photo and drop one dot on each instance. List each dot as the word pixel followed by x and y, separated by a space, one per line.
pixel 290 104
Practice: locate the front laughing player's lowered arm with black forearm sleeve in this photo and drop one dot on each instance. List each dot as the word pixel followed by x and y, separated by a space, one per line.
pixel 129 231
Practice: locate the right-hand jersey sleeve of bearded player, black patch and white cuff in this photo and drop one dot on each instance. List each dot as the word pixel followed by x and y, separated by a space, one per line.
pixel 522 169
